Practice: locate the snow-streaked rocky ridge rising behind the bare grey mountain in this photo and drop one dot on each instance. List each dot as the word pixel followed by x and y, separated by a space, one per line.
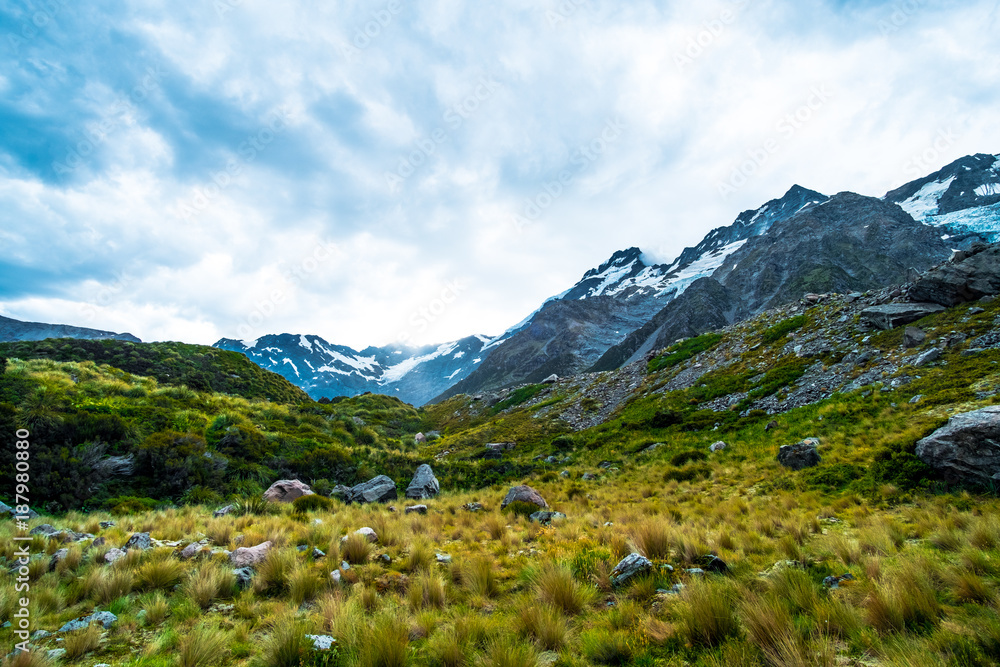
pixel 574 329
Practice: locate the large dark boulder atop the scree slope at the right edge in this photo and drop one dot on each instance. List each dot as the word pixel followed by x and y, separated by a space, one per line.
pixel 966 279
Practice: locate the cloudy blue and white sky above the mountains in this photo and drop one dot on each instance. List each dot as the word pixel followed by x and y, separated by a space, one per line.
pixel 393 171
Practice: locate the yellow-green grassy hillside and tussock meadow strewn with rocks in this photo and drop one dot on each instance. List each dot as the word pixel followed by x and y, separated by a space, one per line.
pixel 460 588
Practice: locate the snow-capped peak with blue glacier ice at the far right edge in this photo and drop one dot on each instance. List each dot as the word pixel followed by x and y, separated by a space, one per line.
pixel 961 198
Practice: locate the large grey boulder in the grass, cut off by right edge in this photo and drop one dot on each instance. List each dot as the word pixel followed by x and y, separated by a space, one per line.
pixel 967 448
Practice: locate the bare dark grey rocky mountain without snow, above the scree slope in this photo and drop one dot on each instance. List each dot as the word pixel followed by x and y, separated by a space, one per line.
pixel 850 243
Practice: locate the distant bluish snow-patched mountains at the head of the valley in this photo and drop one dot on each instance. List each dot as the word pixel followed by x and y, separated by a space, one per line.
pixel 324 370
